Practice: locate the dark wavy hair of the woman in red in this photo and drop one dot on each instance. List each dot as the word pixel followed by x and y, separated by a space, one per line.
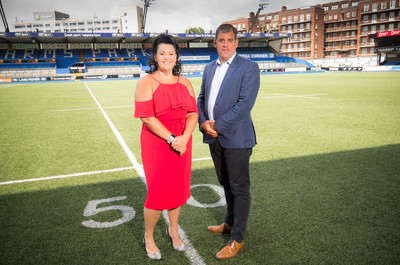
pixel 164 39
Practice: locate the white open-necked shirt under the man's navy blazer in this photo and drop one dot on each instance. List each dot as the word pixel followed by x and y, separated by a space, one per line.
pixel 216 84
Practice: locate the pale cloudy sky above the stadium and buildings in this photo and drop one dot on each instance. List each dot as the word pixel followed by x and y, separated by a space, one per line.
pixel 174 15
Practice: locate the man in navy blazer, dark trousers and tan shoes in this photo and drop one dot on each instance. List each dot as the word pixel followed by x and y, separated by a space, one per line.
pixel 228 92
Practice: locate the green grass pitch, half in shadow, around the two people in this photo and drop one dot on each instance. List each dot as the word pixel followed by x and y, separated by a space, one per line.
pixel 325 175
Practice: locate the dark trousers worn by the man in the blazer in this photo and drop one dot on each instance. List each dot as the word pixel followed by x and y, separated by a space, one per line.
pixel 232 167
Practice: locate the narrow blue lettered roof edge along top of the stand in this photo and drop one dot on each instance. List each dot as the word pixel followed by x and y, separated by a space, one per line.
pixel 82 37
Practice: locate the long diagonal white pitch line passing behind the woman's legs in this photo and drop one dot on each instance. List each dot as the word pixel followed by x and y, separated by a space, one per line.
pixel 190 251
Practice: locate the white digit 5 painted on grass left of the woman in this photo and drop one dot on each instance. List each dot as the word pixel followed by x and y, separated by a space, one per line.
pixel 128 213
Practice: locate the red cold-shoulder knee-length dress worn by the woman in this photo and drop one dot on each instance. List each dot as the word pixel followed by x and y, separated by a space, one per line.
pixel 167 173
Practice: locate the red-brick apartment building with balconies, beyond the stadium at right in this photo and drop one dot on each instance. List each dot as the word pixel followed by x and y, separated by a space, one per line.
pixel 331 30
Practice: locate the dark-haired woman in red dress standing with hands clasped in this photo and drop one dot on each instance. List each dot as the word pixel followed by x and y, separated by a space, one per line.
pixel 165 102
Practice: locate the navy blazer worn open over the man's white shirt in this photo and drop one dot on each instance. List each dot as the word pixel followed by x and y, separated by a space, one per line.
pixel 233 105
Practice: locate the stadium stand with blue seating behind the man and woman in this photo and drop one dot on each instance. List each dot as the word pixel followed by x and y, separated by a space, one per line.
pixel 28 59
